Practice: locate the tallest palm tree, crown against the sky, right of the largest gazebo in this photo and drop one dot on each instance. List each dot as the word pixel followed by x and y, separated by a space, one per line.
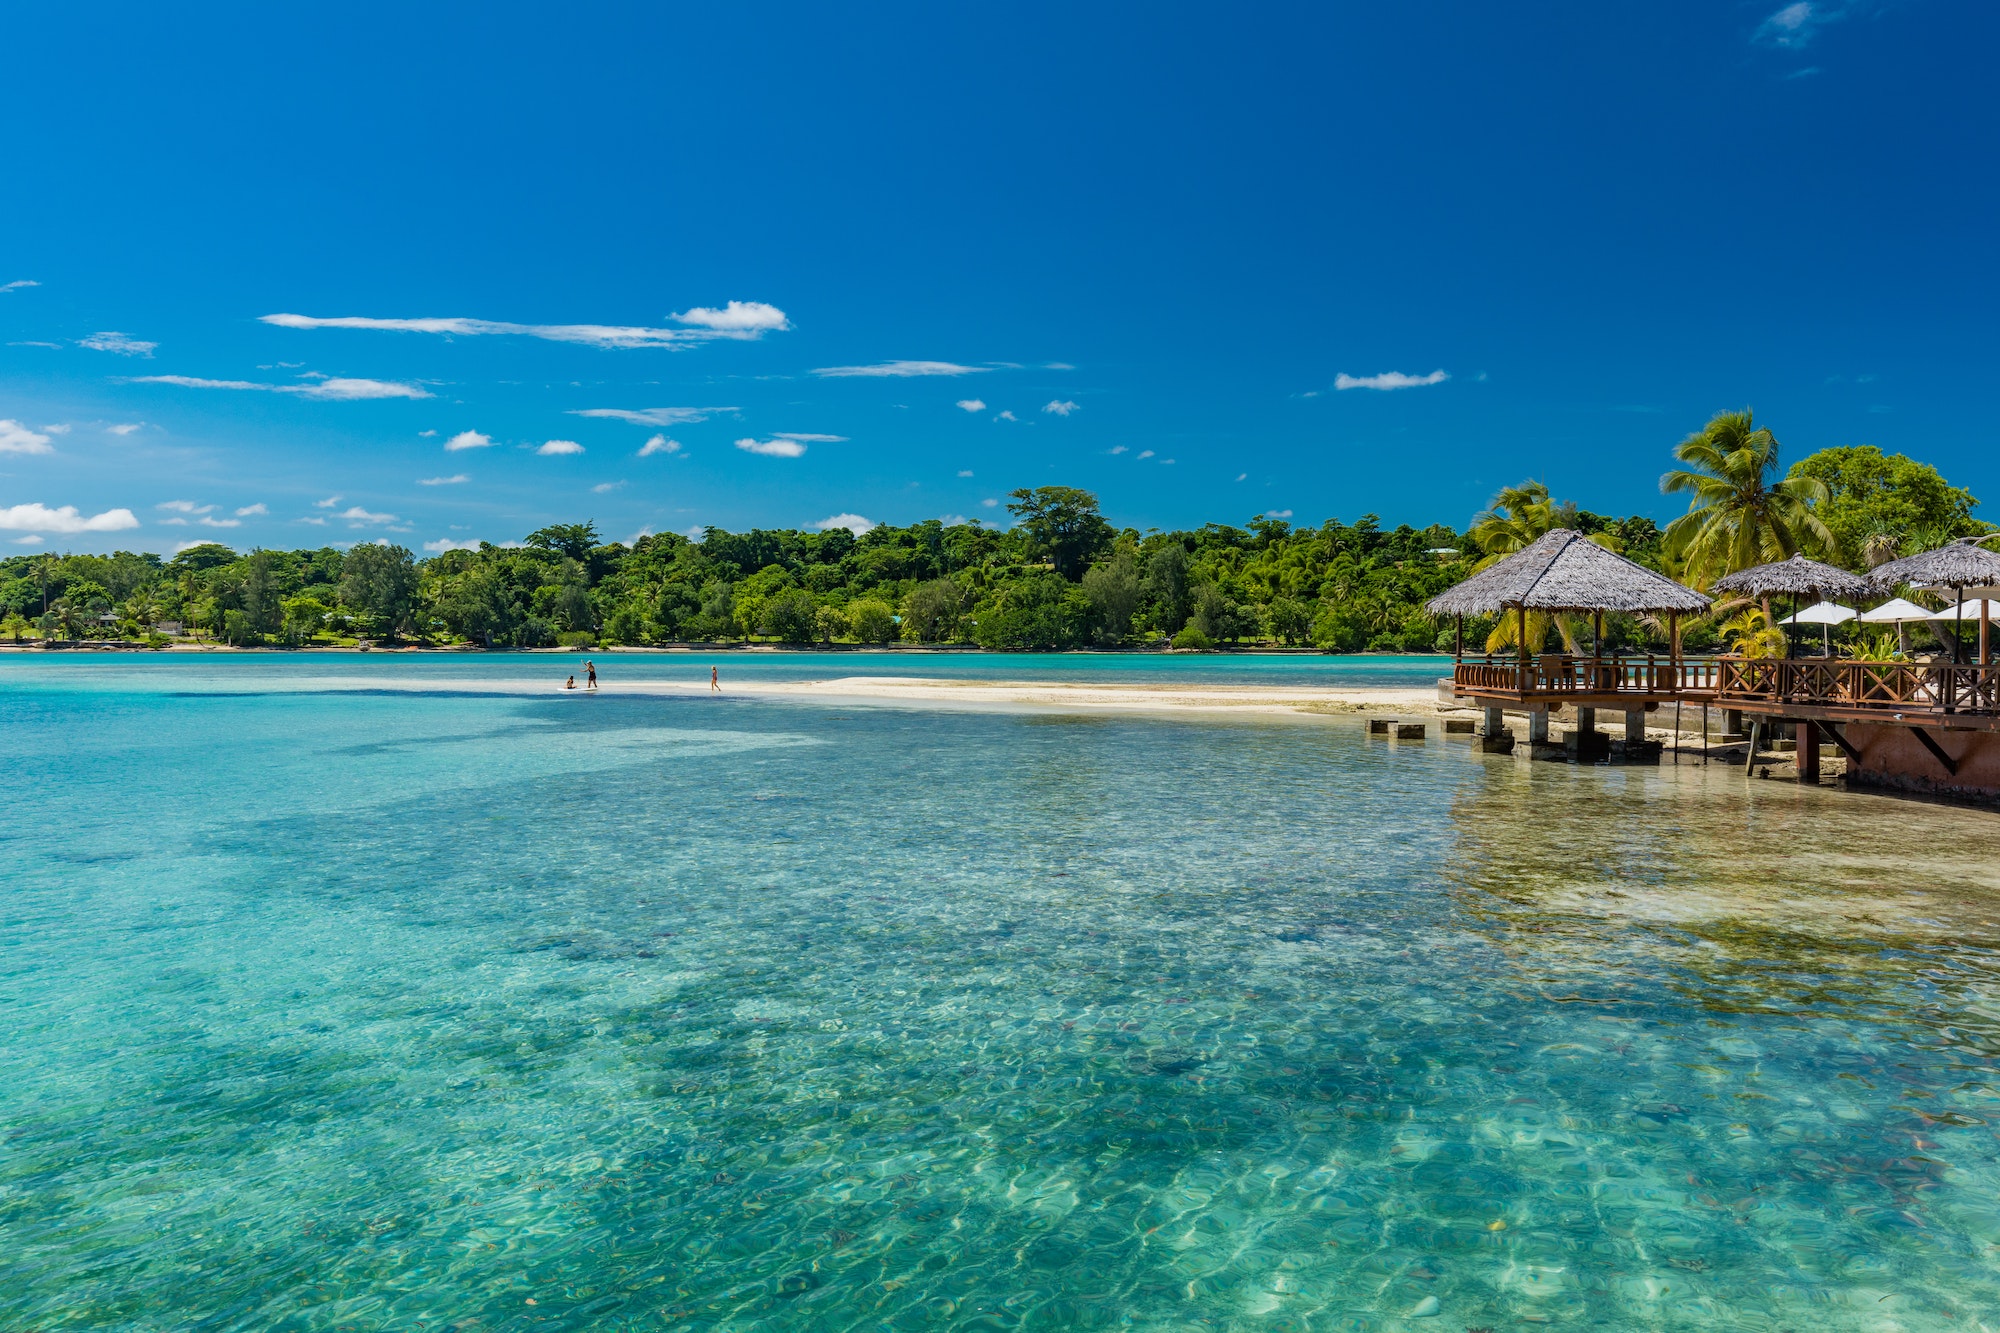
pixel 1743 513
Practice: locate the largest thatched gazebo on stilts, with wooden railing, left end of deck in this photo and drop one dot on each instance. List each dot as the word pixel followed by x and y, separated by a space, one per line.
pixel 1567 573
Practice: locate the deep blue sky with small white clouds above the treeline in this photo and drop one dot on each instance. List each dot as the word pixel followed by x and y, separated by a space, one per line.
pixel 895 261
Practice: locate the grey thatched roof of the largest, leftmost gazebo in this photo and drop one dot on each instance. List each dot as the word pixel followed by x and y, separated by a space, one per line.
pixel 1565 571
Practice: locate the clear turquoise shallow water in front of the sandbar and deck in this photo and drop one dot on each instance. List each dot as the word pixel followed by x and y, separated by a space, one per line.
pixel 375 1012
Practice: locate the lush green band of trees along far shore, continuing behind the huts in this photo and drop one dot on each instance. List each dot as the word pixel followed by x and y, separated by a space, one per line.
pixel 1057 577
